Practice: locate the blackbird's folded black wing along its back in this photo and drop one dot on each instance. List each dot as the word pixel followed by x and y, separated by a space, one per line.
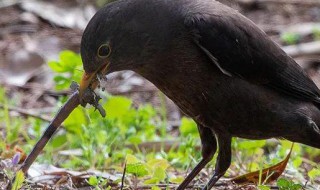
pixel 240 49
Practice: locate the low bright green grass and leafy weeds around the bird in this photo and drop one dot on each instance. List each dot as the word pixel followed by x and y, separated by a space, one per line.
pixel 107 144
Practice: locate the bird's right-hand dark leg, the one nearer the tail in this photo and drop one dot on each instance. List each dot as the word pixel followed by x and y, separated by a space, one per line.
pixel 223 160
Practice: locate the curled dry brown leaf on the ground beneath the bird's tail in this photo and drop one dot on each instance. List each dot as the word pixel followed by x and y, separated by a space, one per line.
pixel 268 174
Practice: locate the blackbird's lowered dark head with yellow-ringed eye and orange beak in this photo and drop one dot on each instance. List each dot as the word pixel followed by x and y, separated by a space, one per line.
pixel 115 39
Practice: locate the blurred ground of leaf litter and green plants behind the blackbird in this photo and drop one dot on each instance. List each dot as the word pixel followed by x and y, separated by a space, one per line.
pixel 39 46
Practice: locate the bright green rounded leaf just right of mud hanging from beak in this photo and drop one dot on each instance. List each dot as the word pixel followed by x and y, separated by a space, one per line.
pixel 117 107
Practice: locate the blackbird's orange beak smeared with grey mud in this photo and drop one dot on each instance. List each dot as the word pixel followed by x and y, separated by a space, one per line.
pixel 91 80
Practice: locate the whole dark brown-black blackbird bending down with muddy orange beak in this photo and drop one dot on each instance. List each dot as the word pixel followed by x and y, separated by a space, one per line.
pixel 214 63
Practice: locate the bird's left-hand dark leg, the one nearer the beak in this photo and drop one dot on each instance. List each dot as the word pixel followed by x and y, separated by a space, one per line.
pixel 209 147
